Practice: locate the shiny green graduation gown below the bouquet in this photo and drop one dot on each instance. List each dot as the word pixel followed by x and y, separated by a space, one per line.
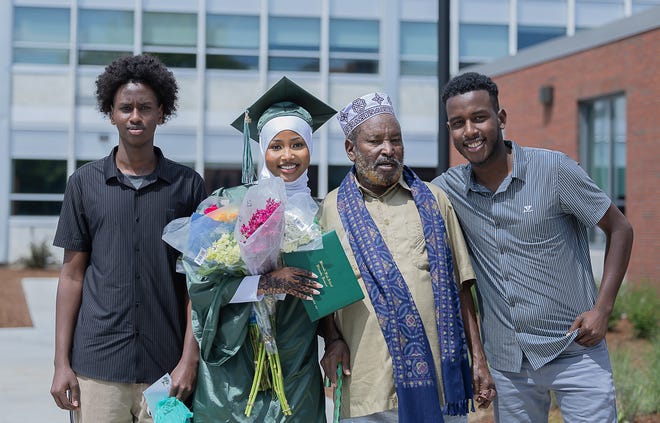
pixel 226 365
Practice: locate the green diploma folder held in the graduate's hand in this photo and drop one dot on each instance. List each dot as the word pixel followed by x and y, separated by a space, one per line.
pixel 330 264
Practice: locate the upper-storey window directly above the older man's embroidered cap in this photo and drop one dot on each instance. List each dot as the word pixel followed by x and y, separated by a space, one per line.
pixel 354 46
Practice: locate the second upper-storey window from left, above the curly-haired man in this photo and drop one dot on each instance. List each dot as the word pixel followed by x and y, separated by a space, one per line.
pixel 104 35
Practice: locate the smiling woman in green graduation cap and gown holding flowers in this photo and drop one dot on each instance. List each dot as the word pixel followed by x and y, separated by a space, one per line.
pixel 282 121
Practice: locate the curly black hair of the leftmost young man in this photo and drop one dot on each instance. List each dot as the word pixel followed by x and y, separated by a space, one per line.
pixel 143 68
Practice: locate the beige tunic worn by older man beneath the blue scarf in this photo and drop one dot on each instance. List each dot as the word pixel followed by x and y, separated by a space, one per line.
pixel 370 388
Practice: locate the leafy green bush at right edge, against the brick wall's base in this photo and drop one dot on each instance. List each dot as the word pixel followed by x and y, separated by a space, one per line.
pixel 642 308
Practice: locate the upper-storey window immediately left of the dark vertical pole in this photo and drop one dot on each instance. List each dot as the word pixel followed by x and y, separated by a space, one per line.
pixel 419 48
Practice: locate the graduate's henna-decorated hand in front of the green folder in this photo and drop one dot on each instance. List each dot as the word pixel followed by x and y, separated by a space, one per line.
pixel 289 280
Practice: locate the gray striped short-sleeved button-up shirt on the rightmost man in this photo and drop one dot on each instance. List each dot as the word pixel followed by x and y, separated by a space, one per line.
pixel 529 247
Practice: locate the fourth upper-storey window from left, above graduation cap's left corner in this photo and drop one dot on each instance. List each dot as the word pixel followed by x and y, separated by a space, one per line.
pixel 232 42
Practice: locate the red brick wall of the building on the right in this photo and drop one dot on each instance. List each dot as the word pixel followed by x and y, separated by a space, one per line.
pixel 630 66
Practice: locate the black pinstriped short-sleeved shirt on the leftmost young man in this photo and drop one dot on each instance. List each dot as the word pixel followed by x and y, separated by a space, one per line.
pixel 132 318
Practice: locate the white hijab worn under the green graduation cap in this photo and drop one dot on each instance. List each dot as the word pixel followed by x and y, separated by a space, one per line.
pixel 269 131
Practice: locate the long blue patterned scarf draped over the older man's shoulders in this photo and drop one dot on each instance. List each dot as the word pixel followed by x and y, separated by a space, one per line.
pixel 414 371
